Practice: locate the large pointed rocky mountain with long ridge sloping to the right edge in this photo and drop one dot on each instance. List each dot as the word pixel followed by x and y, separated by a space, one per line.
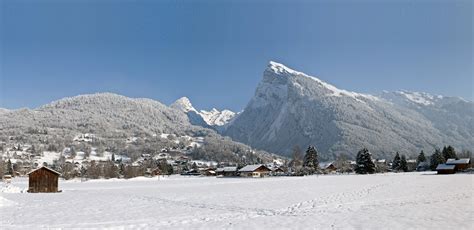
pixel 291 108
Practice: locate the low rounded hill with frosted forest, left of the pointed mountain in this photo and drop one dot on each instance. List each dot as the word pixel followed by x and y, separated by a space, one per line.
pixel 112 117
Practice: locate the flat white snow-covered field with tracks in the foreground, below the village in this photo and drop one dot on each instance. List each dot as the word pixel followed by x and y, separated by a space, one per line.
pixel 382 201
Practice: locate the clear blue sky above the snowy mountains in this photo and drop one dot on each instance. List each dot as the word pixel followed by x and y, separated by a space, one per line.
pixel 214 52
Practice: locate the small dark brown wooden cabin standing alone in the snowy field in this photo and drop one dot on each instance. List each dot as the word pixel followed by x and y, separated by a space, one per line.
pixel 43 179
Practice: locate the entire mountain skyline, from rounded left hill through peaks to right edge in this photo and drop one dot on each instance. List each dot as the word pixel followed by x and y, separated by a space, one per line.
pixel 289 109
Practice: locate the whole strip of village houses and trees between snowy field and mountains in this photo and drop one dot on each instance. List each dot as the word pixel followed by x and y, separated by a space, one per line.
pixel 86 158
